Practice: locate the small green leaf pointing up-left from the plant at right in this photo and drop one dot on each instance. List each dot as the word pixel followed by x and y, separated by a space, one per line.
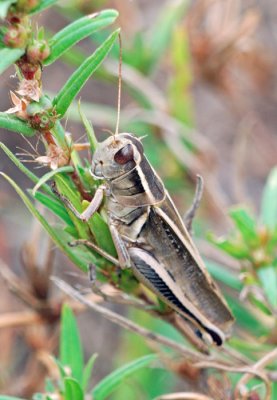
pixel 246 225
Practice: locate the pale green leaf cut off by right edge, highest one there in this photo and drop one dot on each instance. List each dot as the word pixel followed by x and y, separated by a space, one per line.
pixel 269 202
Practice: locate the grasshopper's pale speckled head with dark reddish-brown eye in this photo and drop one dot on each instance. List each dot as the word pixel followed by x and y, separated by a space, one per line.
pixel 116 156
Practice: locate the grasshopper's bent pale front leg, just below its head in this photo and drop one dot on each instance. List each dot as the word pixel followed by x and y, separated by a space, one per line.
pixel 92 207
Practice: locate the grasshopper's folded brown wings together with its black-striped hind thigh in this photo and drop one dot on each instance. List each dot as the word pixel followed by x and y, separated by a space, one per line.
pixel 172 267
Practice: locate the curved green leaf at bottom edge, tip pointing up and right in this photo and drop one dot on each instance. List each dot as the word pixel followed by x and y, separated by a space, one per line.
pixel 109 384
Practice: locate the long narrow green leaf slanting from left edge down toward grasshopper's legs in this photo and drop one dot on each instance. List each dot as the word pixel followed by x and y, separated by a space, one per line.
pixel 55 237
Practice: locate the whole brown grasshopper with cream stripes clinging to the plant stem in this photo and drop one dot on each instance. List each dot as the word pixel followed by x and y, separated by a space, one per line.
pixel 150 236
